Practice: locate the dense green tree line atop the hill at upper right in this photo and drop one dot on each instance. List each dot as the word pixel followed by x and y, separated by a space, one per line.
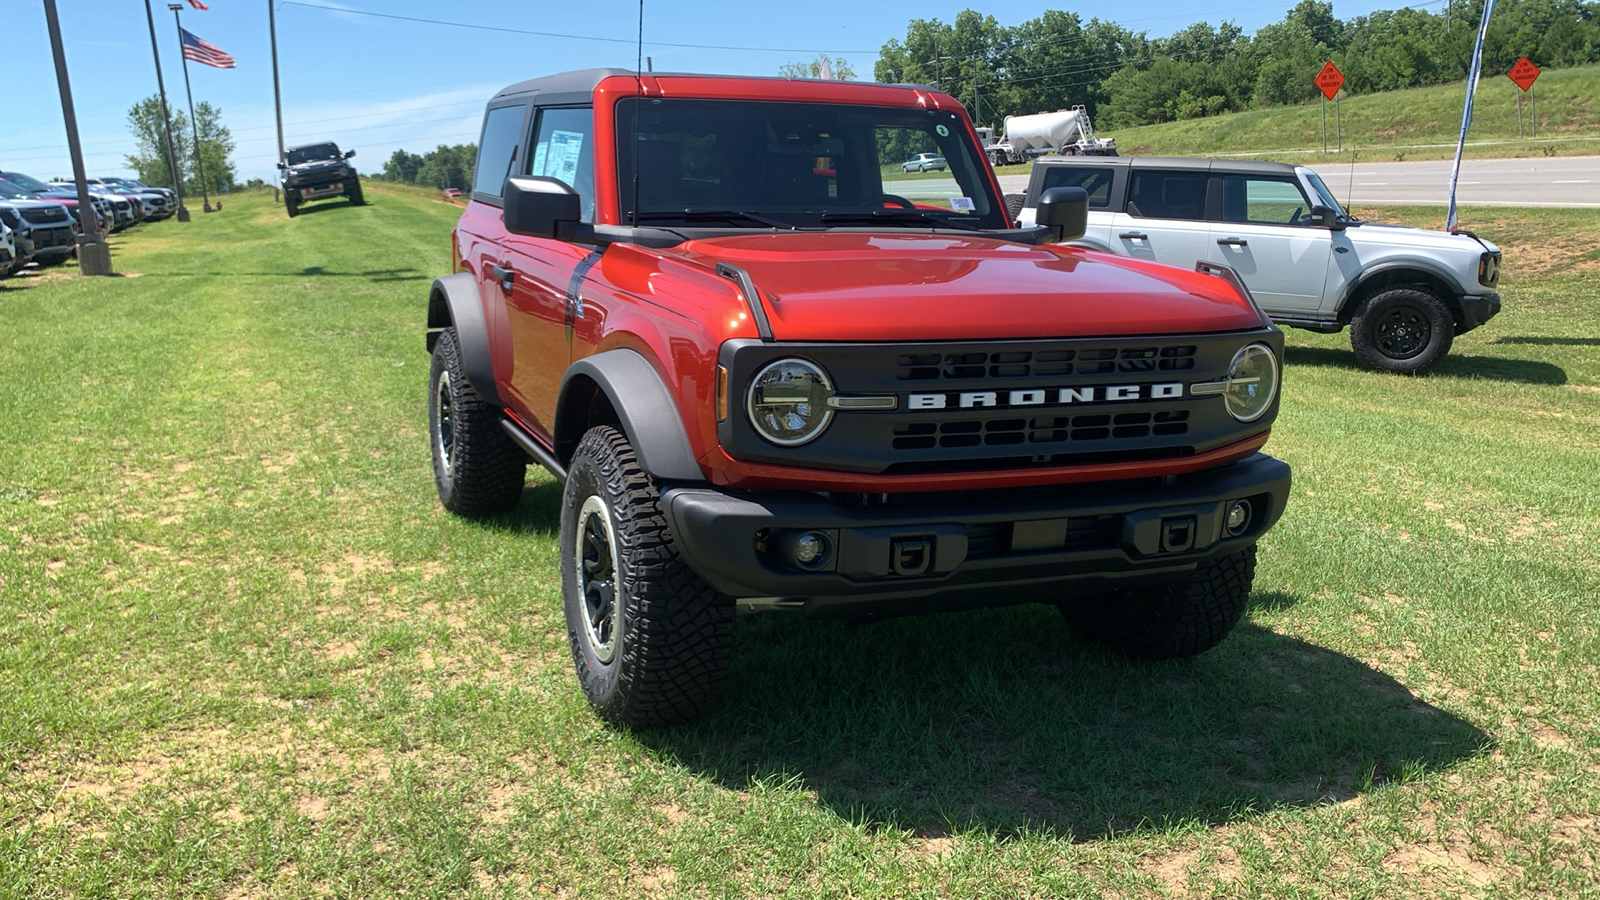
pixel 1129 79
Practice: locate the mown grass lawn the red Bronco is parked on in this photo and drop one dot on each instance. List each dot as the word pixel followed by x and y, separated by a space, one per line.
pixel 246 654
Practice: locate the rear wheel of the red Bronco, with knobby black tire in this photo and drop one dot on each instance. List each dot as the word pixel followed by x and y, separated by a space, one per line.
pixel 478 468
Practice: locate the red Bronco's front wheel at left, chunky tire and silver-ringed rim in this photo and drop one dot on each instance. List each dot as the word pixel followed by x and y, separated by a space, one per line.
pixel 671 638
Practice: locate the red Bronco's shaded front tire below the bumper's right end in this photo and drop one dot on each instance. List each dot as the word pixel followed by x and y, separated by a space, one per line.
pixel 1175 621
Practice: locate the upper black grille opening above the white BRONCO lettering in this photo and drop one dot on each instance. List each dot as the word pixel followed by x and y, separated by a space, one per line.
pixel 1044 364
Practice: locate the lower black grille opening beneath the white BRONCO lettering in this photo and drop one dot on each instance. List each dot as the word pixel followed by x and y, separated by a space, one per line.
pixel 1039 430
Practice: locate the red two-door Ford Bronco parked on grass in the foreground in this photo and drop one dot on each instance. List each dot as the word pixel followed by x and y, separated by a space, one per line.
pixel 775 371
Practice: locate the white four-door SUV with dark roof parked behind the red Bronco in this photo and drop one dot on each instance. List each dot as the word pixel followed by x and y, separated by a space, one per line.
pixel 1404 292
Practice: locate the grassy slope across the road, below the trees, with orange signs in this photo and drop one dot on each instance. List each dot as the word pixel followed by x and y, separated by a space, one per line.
pixel 1418 124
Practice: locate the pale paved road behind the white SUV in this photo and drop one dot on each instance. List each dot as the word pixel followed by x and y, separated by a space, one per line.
pixel 1556 182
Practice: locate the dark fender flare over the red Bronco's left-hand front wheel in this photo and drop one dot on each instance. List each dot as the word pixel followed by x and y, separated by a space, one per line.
pixel 644 409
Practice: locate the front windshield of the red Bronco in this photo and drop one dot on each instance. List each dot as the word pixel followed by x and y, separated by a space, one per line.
pixel 799 166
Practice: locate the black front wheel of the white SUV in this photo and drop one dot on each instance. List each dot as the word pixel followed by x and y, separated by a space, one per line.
pixel 1404 329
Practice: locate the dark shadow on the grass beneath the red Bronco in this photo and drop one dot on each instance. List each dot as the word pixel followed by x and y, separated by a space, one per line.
pixel 1007 721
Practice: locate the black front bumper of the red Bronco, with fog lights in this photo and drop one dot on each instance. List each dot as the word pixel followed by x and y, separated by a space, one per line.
pixel 975 545
